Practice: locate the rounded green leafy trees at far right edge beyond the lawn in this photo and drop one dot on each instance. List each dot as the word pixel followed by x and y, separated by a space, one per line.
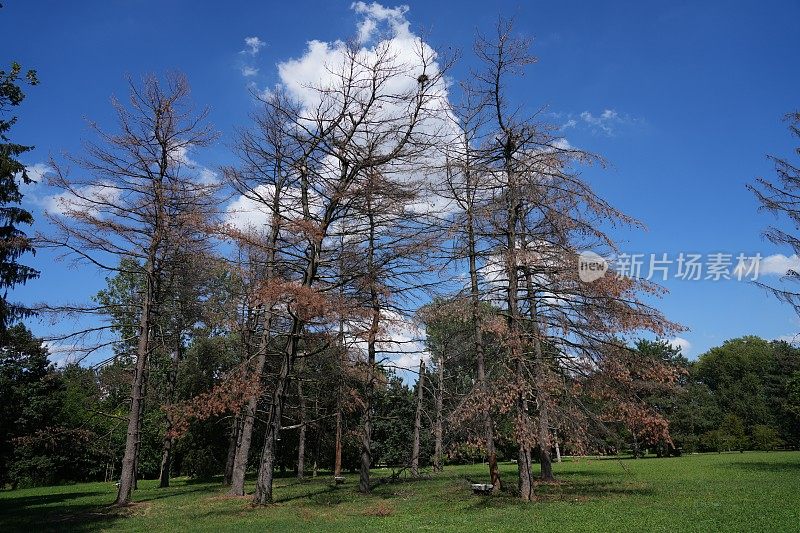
pixel 743 395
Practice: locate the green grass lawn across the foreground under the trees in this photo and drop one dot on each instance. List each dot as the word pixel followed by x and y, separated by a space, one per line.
pixel 753 491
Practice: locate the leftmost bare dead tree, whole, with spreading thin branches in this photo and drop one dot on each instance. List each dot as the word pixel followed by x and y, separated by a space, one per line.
pixel 137 199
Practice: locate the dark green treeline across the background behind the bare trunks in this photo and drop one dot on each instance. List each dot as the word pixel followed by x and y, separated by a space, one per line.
pixel 68 424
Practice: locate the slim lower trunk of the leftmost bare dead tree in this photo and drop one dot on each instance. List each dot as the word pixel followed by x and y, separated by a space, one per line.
pixel 128 473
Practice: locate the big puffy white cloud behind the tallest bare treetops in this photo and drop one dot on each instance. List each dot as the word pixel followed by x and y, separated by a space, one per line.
pixel 382 33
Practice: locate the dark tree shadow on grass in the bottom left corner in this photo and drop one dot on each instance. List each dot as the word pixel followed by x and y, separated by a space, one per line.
pixel 26 513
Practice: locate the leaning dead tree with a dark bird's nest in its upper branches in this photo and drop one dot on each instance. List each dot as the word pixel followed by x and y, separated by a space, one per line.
pixel 355 127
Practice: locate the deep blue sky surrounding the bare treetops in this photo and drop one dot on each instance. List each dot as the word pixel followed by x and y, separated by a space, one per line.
pixel 684 100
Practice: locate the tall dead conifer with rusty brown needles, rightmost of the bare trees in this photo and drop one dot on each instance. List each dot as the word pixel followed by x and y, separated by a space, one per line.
pixel 539 216
